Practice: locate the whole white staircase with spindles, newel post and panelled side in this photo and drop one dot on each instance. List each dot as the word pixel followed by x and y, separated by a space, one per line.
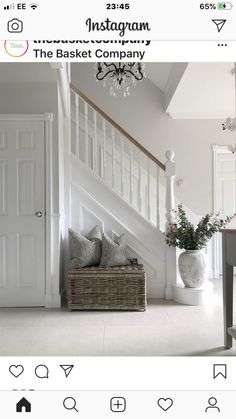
pixel 117 183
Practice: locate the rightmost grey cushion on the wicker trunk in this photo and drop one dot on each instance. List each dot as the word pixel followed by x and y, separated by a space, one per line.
pixel 114 253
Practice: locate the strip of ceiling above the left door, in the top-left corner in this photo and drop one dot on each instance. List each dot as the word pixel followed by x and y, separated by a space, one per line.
pixel 26 73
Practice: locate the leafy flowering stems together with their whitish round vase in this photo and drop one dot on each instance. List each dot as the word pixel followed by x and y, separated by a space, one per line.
pixel 181 233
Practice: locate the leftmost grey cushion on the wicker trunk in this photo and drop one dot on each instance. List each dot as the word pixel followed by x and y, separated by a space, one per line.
pixel 85 250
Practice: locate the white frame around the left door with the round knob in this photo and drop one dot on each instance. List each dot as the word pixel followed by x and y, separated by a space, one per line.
pixel 52 297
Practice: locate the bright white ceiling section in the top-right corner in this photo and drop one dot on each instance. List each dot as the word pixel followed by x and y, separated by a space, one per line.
pixel 206 91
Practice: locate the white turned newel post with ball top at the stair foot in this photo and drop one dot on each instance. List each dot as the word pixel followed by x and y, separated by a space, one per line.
pixel 171 254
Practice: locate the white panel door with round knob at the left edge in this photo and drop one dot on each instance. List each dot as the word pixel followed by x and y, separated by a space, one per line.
pixel 22 195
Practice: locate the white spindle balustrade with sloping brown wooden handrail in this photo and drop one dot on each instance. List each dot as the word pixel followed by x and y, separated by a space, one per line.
pixel 114 156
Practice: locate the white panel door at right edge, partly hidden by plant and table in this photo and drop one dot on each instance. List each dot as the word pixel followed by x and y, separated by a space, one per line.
pixel 226 192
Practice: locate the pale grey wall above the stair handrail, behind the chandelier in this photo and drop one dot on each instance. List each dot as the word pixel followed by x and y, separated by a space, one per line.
pixel 143 117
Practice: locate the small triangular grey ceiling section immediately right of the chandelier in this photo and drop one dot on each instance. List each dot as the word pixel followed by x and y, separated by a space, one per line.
pixel 159 73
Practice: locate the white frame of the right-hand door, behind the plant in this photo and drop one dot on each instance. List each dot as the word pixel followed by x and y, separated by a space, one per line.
pixel 216 151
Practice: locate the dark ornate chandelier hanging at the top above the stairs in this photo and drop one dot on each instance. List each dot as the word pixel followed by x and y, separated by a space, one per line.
pixel 119 76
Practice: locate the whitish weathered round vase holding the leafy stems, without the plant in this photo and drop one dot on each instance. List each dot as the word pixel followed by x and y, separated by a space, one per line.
pixel 193 268
